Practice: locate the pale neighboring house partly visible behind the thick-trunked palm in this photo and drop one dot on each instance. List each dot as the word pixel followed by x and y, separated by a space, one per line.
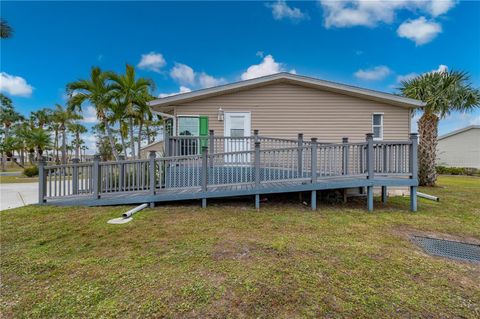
pixel 460 148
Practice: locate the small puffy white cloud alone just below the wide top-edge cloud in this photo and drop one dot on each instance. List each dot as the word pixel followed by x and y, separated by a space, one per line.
pixel 420 30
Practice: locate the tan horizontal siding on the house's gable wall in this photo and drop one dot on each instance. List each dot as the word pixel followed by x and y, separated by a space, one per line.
pixel 283 110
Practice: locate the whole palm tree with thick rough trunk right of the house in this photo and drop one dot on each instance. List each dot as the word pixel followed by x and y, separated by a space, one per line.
pixel 443 92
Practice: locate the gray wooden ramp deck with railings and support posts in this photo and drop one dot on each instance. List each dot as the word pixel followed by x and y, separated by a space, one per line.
pixel 302 168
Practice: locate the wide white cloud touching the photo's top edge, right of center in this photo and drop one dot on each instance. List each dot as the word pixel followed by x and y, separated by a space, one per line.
pixel 369 13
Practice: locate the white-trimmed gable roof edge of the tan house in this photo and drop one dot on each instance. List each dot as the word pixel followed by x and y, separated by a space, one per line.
pixel 287 78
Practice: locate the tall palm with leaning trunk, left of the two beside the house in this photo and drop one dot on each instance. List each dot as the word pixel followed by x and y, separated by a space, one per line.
pixel 99 92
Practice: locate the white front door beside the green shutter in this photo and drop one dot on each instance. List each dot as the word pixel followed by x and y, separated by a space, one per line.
pixel 237 126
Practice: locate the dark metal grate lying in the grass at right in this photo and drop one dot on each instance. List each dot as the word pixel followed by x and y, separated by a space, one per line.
pixel 449 249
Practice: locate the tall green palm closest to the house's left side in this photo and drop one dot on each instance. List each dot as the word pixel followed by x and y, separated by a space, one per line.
pixel 132 93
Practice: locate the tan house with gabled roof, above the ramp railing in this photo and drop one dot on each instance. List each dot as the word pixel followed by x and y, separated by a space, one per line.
pixel 283 105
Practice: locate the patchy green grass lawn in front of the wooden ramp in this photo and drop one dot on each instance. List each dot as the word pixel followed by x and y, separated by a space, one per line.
pixel 229 260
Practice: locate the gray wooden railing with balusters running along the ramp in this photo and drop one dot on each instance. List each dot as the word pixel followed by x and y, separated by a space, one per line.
pixel 300 162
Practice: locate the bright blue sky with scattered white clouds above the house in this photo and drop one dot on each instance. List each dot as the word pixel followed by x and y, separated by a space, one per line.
pixel 188 45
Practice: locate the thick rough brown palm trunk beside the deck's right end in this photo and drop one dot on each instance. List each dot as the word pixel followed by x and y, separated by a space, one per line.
pixel 428 131
